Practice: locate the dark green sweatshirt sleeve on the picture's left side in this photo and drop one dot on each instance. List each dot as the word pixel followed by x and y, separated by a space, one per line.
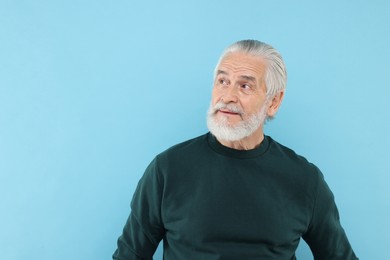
pixel 144 229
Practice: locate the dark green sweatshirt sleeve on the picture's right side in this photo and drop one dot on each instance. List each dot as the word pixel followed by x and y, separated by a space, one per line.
pixel 325 235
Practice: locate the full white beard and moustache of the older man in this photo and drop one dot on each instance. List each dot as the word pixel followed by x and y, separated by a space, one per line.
pixel 222 130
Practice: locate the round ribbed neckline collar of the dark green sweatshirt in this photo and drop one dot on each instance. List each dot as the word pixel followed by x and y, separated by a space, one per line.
pixel 240 154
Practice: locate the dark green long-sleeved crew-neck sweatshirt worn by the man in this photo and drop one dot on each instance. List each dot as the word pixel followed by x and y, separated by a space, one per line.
pixel 207 201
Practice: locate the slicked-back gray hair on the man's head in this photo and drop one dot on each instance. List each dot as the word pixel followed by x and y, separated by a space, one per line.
pixel 275 74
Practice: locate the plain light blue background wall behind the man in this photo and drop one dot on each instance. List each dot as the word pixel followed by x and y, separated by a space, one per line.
pixel 91 91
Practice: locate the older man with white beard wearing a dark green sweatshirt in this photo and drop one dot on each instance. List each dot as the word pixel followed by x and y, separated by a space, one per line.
pixel 235 193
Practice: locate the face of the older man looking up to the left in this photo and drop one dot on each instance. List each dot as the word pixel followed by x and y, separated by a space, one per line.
pixel 239 83
